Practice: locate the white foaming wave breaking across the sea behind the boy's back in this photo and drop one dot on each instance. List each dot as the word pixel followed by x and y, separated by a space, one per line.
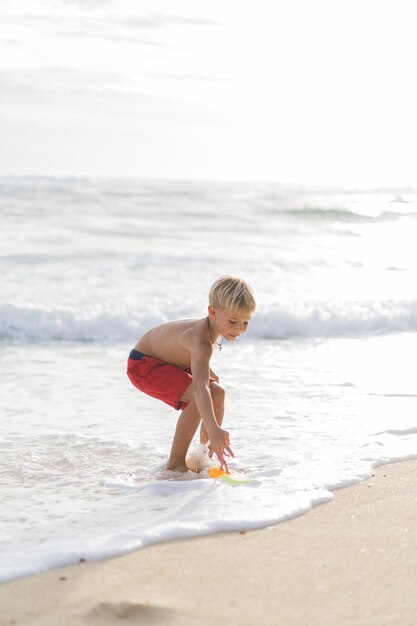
pixel 321 320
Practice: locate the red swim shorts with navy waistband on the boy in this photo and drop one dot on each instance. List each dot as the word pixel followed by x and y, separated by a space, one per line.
pixel 158 379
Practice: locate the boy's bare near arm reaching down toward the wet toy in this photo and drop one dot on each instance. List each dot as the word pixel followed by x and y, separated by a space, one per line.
pixel 219 438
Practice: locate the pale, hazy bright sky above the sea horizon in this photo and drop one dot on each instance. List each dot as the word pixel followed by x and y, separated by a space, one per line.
pixel 293 91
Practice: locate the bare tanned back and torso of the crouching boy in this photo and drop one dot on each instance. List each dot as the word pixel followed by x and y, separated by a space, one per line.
pixel 172 342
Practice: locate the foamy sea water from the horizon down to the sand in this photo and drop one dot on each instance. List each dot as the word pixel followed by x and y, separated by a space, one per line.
pixel 319 391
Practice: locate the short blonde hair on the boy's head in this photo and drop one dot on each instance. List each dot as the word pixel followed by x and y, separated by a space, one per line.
pixel 232 293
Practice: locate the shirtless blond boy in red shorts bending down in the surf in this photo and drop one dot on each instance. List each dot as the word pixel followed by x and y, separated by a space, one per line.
pixel 171 362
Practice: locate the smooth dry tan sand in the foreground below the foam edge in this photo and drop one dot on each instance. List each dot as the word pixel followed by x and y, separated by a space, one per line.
pixel 348 562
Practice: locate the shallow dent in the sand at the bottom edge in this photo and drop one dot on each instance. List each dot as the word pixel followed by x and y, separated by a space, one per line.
pixel 127 613
